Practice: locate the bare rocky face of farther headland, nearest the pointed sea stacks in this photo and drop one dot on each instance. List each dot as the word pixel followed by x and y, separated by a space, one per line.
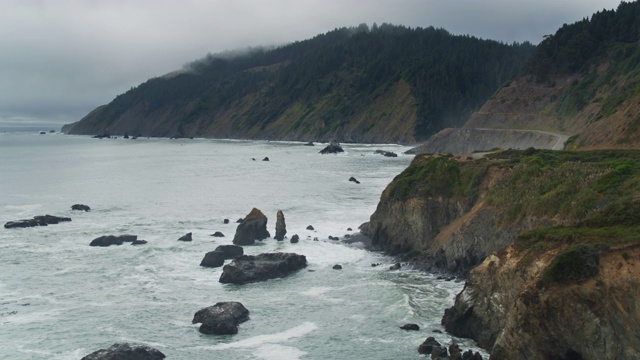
pixel 451 229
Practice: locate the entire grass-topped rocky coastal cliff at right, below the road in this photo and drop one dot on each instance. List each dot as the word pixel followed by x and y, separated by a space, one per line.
pixel 549 242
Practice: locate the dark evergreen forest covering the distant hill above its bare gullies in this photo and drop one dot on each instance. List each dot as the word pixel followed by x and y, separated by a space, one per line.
pixel 450 76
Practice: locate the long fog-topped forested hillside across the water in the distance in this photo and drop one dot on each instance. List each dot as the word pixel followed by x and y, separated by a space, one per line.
pixel 380 84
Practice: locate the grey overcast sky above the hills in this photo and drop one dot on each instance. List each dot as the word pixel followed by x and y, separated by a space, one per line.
pixel 59 59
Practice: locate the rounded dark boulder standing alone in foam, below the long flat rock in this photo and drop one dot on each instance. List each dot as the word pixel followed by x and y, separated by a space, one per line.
pixel 222 318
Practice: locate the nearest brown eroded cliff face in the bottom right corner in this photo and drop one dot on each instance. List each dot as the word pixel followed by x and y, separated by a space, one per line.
pixel 509 308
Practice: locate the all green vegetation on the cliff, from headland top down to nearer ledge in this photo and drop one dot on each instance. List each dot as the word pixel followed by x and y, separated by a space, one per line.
pixel 595 193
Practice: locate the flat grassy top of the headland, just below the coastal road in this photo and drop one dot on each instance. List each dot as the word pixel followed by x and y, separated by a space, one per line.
pixel 570 184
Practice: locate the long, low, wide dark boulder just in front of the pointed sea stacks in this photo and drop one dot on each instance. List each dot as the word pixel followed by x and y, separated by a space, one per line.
pixel 261 267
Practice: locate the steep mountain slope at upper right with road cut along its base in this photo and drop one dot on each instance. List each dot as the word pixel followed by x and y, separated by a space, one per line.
pixel 583 81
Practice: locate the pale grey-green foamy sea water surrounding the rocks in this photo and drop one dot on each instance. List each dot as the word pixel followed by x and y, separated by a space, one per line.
pixel 62 299
